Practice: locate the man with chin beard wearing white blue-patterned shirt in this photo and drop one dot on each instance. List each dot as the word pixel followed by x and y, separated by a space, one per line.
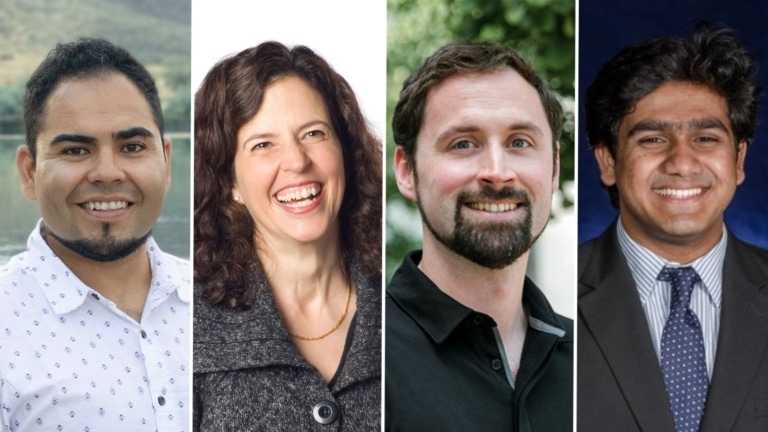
pixel 94 317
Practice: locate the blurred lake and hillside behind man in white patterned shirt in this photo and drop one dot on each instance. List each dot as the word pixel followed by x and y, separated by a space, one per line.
pixel 157 33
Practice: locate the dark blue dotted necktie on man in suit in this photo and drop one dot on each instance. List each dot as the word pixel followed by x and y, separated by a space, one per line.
pixel 683 363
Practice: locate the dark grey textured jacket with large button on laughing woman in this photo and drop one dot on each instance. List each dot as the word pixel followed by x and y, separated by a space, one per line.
pixel 249 376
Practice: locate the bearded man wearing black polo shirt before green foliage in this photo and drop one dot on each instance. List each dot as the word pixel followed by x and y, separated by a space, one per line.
pixel 471 343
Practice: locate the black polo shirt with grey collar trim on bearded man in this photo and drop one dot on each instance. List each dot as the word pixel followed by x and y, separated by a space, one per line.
pixel 444 369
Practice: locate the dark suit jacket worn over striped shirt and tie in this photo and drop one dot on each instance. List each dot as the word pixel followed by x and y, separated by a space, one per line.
pixel 620 385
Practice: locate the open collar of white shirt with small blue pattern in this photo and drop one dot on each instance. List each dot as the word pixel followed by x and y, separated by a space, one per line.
pixel 66 292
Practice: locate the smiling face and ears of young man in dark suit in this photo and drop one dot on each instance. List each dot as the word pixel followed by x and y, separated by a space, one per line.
pixel 676 168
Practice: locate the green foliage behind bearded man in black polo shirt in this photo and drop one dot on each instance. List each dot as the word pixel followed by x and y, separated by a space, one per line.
pixel 542 31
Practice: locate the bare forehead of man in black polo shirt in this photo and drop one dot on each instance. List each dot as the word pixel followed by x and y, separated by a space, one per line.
pixel 501 98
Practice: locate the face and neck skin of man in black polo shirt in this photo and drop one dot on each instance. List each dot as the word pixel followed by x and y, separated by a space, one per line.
pixel 482 134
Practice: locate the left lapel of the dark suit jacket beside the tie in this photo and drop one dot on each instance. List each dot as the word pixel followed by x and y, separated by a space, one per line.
pixel 611 309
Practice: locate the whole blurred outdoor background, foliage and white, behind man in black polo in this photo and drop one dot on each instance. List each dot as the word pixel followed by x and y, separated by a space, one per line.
pixel 543 31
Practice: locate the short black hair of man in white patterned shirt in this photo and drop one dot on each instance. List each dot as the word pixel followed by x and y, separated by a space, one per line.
pixel 87 56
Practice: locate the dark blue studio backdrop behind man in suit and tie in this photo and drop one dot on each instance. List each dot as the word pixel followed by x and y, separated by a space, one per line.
pixel 607 26
